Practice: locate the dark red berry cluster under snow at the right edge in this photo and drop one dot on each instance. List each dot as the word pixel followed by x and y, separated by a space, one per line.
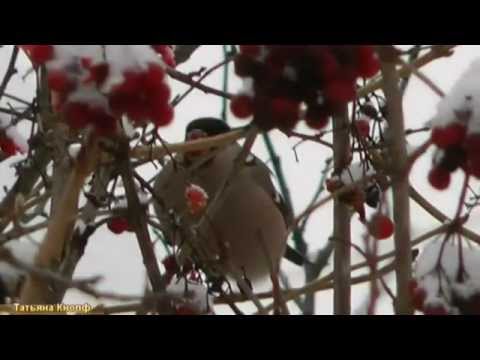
pixel 458 149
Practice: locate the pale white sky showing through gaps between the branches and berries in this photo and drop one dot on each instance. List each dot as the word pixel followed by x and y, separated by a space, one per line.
pixel 118 259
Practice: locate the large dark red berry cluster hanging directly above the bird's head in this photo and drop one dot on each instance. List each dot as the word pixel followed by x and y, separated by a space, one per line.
pixel 285 77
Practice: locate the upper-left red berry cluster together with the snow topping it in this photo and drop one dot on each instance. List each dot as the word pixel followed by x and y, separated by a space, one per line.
pixel 97 85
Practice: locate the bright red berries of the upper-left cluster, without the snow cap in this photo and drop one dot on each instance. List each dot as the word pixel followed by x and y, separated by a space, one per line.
pixel 79 87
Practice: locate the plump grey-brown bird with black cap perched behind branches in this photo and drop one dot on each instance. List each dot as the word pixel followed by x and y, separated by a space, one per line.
pixel 252 222
